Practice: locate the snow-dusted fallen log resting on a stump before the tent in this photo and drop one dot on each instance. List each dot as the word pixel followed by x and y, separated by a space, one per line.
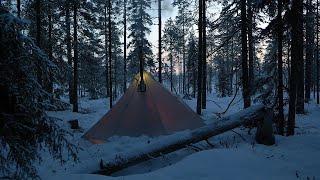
pixel 172 143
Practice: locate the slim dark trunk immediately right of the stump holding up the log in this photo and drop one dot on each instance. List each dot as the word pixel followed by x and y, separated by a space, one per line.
pixel 280 70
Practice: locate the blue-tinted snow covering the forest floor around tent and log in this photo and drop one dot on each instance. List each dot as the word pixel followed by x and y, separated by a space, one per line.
pixel 235 154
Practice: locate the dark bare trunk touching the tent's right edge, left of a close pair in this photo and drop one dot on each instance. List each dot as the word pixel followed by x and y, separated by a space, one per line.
pixel 200 59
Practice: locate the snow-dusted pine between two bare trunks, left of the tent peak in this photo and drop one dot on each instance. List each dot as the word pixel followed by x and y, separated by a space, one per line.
pixel 90 68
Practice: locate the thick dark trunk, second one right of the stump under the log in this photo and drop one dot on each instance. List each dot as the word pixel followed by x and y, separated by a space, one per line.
pixel 296 59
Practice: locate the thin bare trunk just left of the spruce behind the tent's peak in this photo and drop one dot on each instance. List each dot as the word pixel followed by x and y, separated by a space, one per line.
pixel 125 47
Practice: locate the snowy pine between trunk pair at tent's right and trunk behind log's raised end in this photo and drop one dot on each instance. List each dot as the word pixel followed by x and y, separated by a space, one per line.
pixel 225 33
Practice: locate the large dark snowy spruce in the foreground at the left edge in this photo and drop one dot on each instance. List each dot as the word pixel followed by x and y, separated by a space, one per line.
pixel 23 98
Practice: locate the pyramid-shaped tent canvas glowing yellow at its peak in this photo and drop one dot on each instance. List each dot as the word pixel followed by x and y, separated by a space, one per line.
pixel 153 112
